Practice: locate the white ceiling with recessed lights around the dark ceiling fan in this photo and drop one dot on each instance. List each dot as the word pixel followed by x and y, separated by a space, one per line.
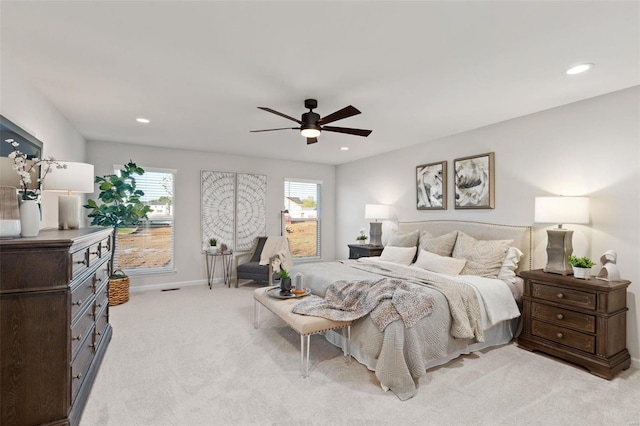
pixel 417 70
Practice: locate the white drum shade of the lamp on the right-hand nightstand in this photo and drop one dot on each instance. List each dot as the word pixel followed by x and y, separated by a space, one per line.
pixel 562 210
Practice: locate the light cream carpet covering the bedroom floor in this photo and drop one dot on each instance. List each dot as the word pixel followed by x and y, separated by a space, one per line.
pixel 192 357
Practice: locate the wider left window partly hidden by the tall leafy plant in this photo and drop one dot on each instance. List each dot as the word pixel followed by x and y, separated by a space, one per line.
pixel 148 248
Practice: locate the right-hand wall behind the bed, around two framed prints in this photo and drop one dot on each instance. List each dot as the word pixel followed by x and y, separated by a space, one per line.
pixel 587 148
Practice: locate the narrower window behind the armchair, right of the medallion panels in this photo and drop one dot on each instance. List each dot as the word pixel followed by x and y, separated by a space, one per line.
pixel 302 222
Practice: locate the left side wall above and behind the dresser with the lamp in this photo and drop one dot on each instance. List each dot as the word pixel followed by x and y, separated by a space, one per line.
pixel 28 108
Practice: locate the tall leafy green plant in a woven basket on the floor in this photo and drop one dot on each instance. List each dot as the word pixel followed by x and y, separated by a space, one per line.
pixel 120 208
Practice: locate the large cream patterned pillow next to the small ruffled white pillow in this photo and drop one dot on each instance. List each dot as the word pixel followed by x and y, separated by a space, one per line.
pixel 484 257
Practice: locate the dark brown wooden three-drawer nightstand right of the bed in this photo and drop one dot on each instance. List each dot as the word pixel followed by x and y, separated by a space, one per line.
pixel 580 321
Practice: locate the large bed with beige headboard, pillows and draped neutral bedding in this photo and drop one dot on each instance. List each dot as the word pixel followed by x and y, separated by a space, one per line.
pixel 446 314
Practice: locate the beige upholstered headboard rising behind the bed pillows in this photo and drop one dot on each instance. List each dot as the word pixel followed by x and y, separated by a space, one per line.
pixel 521 235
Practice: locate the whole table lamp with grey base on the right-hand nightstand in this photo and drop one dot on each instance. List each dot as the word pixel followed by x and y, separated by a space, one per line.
pixel 560 210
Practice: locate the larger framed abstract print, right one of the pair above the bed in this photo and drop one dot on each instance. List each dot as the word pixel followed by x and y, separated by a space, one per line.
pixel 474 182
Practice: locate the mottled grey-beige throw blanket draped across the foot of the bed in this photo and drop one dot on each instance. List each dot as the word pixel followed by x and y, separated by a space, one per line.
pixel 387 300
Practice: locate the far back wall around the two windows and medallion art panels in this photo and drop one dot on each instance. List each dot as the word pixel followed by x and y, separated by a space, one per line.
pixel 189 261
